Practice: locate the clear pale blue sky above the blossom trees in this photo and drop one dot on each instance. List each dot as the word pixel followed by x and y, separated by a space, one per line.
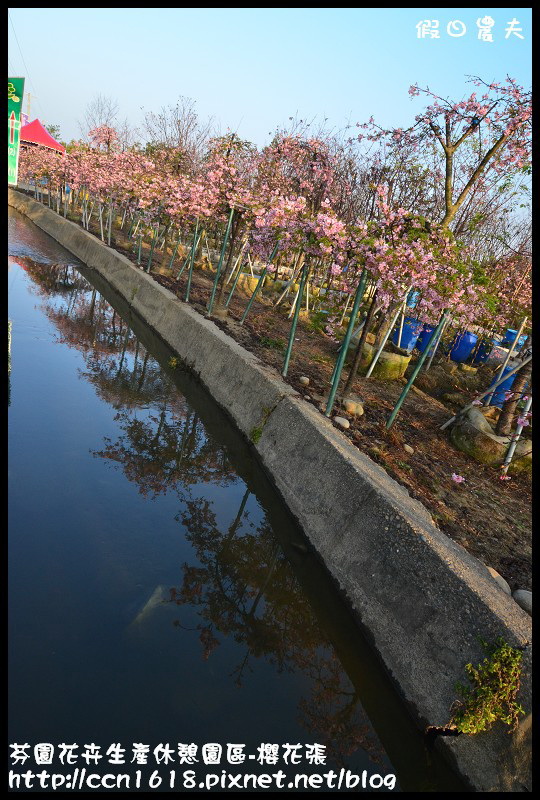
pixel 251 69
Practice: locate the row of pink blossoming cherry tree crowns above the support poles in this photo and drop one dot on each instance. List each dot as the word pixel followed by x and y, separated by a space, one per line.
pixel 334 210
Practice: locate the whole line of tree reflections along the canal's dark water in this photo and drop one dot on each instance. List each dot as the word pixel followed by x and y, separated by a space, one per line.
pixel 241 586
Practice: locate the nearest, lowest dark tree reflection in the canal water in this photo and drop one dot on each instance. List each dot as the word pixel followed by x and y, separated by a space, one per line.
pixel 243 587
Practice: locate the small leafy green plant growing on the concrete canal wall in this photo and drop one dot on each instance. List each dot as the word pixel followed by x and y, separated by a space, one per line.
pixel 492 696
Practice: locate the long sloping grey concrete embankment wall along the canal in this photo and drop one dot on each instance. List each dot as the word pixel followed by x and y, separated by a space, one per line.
pixel 422 599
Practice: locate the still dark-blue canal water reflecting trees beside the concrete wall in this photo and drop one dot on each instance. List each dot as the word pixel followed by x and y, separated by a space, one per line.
pixel 159 592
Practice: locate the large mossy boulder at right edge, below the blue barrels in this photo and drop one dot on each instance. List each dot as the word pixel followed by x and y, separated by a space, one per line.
pixel 470 435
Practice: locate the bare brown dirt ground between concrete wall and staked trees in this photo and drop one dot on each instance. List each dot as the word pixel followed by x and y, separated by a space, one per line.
pixel 490 518
